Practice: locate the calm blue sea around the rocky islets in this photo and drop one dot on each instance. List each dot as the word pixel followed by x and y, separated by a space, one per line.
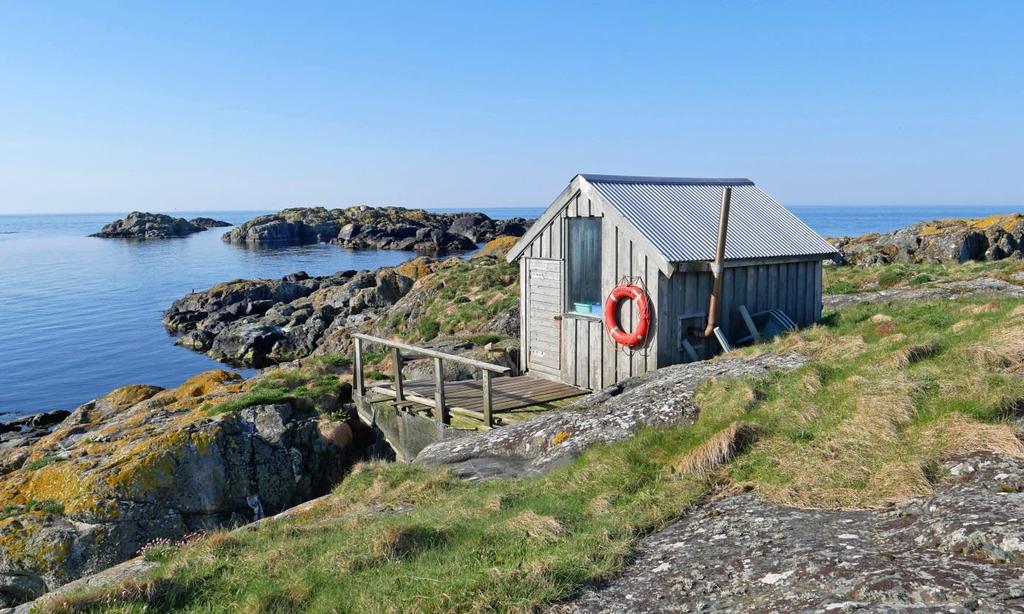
pixel 80 317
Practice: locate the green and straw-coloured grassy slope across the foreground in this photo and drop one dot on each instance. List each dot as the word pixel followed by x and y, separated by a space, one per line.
pixel 889 391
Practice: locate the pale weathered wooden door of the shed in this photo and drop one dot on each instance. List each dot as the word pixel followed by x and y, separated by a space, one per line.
pixel 544 311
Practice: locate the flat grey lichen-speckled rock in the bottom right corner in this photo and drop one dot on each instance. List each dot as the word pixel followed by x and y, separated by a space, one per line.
pixel 959 551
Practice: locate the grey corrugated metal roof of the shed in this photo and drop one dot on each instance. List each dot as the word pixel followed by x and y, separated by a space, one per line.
pixel 680 218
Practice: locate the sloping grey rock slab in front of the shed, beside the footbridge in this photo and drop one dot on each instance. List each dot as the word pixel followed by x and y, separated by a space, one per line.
pixel 657 400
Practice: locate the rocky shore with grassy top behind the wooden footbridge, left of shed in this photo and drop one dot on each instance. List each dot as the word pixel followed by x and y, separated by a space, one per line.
pixel 258 323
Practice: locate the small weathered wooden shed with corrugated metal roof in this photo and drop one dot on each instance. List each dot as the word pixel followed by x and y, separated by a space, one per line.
pixel 660 234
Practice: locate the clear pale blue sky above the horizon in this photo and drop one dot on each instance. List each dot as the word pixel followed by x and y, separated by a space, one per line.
pixel 112 107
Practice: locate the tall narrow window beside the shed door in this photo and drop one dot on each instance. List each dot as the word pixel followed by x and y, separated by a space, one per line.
pixel 584 265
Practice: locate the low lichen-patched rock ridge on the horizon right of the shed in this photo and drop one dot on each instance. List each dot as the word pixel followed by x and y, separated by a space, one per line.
pixel 994 238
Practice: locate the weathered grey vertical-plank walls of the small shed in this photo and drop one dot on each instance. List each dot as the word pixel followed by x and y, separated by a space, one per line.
pixel 588 358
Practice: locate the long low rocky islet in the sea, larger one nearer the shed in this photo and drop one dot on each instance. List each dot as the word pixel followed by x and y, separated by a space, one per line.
pixel 375 228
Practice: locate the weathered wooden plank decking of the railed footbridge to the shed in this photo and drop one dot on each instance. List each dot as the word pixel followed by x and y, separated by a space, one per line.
pixel 507 393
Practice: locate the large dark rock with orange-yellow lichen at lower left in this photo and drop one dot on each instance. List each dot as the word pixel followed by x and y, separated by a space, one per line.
pixel 144 463
